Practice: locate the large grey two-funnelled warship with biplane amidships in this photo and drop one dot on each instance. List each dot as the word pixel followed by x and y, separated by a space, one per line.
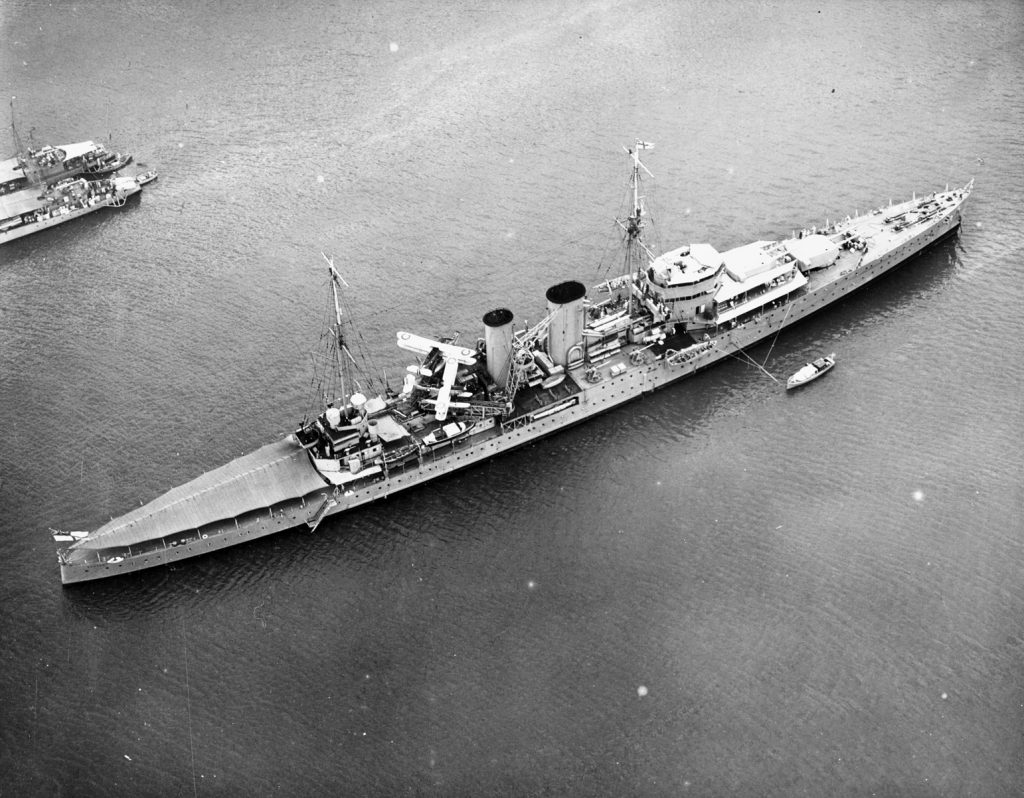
pixel 663 319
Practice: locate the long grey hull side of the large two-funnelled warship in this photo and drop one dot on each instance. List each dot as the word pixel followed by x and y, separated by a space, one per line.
pixel 580 402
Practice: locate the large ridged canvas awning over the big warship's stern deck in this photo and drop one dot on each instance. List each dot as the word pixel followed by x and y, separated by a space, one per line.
pixel 271 475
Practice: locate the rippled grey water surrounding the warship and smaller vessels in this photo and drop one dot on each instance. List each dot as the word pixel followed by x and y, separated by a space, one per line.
pixel 719 591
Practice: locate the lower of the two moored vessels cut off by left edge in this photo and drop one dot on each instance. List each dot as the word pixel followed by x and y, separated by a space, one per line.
pixel 26 213
